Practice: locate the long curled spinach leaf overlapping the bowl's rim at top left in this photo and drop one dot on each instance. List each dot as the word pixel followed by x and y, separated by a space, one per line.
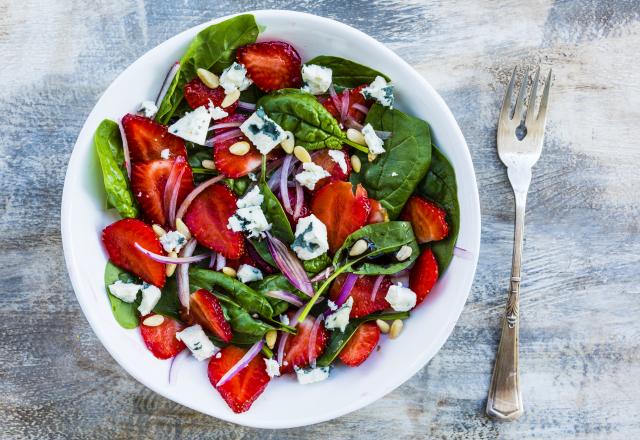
pixel 214 49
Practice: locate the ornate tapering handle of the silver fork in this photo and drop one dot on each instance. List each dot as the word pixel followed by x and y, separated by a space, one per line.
pixel 505 396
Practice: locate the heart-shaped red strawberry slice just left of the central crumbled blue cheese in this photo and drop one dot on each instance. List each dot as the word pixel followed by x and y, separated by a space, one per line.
pixel 207 218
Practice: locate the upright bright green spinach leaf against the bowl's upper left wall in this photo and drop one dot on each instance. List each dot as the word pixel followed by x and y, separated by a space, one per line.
pixel 114 174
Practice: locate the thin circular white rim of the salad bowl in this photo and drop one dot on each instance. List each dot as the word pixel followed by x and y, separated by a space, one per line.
pixel 245 418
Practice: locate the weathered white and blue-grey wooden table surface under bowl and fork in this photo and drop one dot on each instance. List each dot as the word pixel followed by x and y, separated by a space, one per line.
pixel 580 337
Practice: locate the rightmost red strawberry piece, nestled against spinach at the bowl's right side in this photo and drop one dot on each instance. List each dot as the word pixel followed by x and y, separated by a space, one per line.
pixel 428 219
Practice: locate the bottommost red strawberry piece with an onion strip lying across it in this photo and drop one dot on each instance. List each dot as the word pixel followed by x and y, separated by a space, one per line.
pixel 243 388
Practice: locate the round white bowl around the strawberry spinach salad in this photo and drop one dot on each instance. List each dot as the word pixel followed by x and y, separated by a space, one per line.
pixel 284 404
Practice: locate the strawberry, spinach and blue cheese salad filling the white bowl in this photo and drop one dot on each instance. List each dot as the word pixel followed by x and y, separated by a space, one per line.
pixel 278 217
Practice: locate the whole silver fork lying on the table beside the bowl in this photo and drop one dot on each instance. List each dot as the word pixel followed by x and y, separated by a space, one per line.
pixel 520 139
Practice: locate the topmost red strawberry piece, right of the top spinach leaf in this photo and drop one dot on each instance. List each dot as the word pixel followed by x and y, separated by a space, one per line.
pixel 272 65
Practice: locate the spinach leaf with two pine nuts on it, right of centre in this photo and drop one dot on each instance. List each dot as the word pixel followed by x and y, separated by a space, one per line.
pixel 384 239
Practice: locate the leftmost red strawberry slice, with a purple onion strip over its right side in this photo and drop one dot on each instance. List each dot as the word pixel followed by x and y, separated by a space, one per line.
pixel 119 239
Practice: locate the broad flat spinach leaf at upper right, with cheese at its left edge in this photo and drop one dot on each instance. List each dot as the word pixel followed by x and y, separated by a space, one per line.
pixel 393 176
